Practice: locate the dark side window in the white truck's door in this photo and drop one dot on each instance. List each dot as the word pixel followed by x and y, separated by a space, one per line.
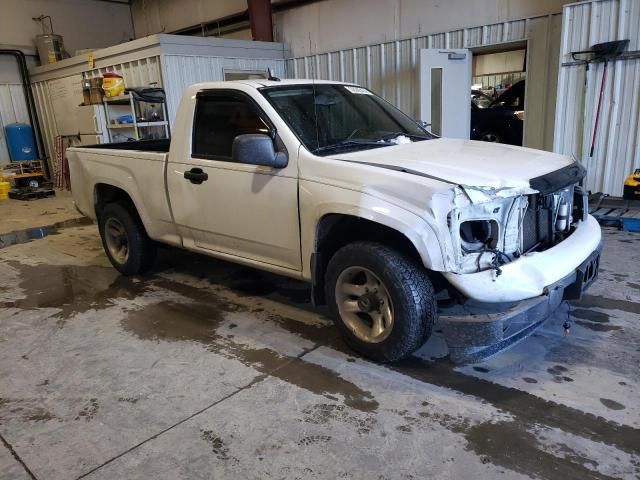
pixel 219 119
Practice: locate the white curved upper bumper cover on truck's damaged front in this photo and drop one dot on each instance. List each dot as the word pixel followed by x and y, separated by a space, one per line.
pixel 530 275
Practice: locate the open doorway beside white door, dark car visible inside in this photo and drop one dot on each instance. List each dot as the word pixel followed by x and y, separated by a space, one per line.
pixel 498 95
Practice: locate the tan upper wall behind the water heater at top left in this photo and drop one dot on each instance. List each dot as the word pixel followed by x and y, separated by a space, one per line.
pixel 82 23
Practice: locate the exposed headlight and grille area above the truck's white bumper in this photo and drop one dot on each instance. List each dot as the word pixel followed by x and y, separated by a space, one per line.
pixel 492 227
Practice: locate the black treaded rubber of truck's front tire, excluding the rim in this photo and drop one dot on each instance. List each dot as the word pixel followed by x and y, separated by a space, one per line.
pixel 409 288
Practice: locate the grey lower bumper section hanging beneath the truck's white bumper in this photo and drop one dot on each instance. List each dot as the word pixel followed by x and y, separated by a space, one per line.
pixel 477 331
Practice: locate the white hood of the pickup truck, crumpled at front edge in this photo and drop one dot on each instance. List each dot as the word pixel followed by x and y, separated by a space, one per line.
pixel 466 163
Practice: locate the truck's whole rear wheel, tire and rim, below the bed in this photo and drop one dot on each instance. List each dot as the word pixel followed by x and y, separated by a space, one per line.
pixel 125 240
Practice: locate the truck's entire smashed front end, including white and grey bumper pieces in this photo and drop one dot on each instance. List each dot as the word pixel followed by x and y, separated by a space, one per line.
pixel 518 253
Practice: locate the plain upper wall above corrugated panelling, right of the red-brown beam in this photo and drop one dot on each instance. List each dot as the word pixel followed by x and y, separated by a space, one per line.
pixel 332 25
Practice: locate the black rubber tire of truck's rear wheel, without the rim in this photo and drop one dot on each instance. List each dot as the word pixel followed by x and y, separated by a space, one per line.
pixel 141 249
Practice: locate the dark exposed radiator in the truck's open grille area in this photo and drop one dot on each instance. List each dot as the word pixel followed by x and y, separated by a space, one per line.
pixel 537 226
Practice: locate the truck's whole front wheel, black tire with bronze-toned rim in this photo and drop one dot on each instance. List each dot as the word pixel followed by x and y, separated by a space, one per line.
pixel 382 300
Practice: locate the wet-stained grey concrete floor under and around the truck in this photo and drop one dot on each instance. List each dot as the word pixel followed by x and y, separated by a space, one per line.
pixel 208 370
